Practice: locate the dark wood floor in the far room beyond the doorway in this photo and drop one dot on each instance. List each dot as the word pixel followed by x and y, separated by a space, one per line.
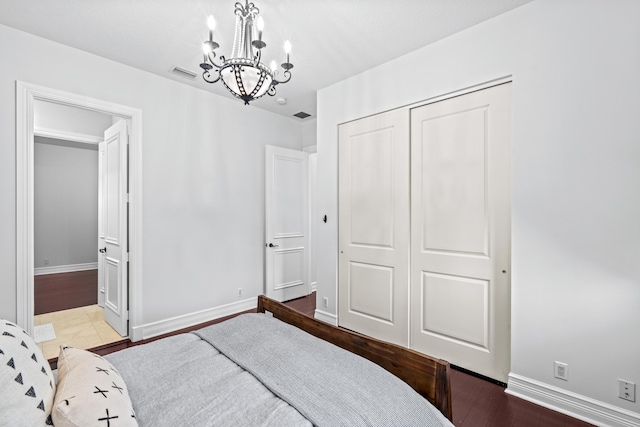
pixel 62 291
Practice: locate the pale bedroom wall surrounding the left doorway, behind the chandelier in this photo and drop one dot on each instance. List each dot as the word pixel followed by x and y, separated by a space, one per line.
pixel 202 176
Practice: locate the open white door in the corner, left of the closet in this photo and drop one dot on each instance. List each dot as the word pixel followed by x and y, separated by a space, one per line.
pixel 286 223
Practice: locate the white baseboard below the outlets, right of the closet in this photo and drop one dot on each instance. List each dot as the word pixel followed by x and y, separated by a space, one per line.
pixel 572 404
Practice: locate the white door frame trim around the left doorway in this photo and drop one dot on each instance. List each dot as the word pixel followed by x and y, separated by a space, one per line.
pixel 26 96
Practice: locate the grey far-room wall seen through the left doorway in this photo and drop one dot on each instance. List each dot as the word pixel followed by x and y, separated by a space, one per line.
pixel 65 203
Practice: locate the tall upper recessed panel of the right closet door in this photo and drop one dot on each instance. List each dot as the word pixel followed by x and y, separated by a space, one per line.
pixel 453 183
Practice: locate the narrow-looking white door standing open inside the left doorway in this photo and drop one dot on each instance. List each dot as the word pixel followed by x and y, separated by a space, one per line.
pixel 113 268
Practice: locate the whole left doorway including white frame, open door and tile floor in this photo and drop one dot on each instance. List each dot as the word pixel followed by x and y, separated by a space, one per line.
pixel 50 120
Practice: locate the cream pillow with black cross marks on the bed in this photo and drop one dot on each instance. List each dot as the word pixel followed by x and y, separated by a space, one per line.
pixel 90 392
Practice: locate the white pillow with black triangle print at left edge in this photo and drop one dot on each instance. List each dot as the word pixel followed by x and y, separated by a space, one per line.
pixel 27 385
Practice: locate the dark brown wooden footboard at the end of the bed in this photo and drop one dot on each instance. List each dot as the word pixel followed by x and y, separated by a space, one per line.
pixel 428 376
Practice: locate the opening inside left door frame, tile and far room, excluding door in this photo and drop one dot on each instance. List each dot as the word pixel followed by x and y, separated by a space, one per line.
pixel 68 301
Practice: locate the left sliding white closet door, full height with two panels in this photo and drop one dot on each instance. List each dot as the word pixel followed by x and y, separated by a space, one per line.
pixel 373 270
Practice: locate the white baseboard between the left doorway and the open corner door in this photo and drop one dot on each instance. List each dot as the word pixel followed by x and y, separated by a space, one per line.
pixel 153 329
